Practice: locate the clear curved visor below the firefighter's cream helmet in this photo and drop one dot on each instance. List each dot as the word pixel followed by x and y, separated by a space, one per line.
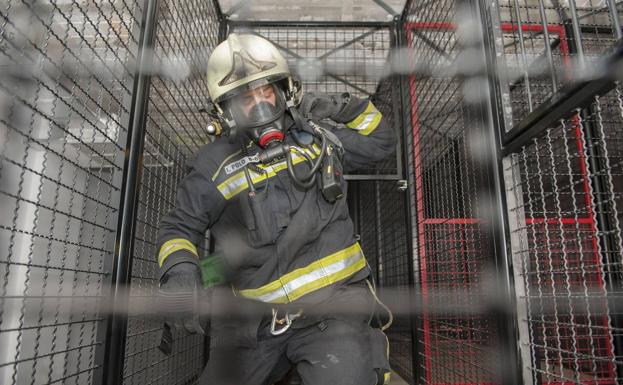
pixel 258 106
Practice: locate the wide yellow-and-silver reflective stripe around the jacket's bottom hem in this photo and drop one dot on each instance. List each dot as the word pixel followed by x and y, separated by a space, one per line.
pixel 302 281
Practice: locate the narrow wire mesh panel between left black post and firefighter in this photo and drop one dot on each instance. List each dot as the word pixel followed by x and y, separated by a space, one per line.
pixel 187 31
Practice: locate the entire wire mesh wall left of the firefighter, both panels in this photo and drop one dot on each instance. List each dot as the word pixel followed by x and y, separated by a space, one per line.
pixel 66 85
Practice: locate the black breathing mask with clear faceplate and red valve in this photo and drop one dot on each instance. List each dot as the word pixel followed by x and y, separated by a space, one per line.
pixel 259 114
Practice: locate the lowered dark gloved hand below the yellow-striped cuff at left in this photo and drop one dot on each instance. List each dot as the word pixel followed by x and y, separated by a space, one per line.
pixel 179 296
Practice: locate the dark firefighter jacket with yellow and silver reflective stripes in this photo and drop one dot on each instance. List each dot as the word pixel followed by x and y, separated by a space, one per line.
pixel 283 244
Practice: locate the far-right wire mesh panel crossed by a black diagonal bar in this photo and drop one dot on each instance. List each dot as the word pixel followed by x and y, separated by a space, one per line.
pixel 564 192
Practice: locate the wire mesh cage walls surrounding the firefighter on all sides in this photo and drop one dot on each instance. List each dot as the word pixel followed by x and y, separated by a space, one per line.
pixel 69 74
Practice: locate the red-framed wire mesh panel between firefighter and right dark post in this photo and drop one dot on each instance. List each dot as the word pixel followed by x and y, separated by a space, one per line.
pixel 456 331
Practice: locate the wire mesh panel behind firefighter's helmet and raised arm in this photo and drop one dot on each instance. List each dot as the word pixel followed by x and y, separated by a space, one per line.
pixel 334 58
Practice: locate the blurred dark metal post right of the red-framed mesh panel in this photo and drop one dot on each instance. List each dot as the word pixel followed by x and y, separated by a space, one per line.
pixel 488 125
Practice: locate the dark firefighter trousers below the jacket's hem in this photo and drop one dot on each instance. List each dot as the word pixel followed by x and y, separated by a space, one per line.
pixel 332 351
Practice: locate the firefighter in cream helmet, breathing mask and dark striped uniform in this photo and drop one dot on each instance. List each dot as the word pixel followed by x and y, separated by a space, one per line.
pixel 270 189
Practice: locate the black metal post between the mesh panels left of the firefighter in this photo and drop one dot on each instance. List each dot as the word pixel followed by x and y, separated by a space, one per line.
pixel 114 354
